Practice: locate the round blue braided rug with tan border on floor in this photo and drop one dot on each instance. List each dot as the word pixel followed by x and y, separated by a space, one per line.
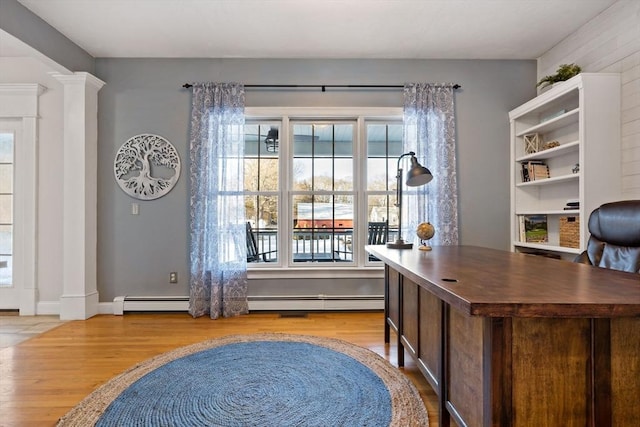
pixel 257 380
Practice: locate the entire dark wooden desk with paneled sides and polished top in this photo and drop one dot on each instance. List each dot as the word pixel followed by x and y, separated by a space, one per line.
pixel 510 339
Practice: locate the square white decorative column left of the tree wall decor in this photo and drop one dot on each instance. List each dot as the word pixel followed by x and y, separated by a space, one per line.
pixel 79 298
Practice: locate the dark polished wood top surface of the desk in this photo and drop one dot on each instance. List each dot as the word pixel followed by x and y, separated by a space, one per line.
pixel 487 282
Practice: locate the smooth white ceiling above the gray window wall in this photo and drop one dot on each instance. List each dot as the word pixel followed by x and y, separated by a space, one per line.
pixel 457 29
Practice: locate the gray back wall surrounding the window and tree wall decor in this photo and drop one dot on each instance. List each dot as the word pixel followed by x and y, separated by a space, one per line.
pixel 135 253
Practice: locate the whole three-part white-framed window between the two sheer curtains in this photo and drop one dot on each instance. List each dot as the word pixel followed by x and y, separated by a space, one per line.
pixel 340 177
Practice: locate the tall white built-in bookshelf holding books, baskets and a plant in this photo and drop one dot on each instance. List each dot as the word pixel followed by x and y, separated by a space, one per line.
pixel 582 115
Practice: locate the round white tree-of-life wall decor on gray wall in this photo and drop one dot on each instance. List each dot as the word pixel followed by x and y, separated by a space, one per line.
pixel 147 167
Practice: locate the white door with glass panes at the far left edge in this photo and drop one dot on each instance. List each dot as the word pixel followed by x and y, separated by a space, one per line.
pixel 9 292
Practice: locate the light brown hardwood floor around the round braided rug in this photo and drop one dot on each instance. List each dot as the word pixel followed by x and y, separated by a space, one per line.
pixel 44 377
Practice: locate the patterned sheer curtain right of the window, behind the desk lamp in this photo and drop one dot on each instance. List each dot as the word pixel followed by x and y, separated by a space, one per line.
pixel 429 131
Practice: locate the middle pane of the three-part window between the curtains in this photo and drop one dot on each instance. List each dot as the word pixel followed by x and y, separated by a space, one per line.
pixel 323 196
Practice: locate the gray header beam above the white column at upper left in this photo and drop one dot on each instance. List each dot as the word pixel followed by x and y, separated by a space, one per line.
pixel 20 22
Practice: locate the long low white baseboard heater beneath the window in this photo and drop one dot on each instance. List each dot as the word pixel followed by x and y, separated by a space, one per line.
pixel 123 304
